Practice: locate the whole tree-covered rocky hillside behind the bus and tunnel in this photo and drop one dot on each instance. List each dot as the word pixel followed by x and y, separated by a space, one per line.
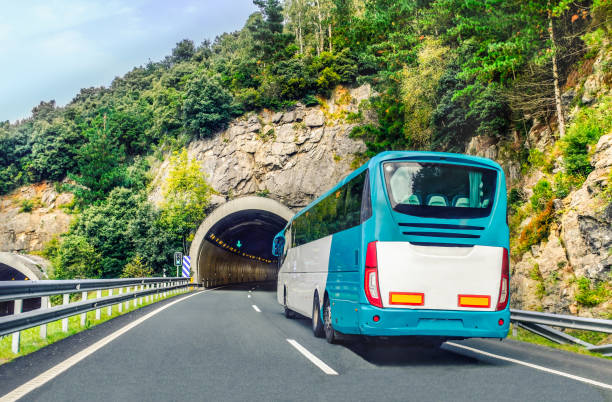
pixel 524 83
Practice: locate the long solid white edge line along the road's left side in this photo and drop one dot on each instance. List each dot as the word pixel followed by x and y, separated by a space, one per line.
pixel 53 372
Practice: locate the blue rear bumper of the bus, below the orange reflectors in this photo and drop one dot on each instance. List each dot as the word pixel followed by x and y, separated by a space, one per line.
pixel 442 323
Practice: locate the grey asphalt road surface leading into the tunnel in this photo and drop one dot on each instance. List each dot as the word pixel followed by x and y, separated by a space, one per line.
pixel 216 345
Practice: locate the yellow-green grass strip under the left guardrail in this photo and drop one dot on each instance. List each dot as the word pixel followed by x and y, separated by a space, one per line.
pixel 31 340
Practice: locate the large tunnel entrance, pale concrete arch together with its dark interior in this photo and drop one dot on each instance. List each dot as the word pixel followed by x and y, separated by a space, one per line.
pixel 216 258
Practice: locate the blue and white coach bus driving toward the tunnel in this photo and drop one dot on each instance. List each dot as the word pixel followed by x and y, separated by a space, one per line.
pixel 410 244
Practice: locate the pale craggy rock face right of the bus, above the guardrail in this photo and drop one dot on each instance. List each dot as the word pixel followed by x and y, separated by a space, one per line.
pixel 579 246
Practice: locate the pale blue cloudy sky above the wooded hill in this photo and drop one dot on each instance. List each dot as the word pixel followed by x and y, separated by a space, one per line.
pixel 50 49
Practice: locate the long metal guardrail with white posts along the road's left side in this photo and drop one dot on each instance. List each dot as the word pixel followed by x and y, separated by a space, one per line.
pixel 135 289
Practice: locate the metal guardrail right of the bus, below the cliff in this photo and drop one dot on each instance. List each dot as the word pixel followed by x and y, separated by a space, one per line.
pixel 541 323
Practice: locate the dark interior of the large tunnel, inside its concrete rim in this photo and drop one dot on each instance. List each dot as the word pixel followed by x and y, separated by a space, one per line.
pixel 238 248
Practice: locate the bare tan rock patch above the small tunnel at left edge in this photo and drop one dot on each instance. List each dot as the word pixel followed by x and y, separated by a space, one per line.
pixel 24 231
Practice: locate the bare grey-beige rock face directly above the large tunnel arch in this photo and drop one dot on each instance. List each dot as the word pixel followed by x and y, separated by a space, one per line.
pixel 292 156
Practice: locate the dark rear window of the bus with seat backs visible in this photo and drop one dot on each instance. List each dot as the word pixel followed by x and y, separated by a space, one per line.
pixel 440 190
